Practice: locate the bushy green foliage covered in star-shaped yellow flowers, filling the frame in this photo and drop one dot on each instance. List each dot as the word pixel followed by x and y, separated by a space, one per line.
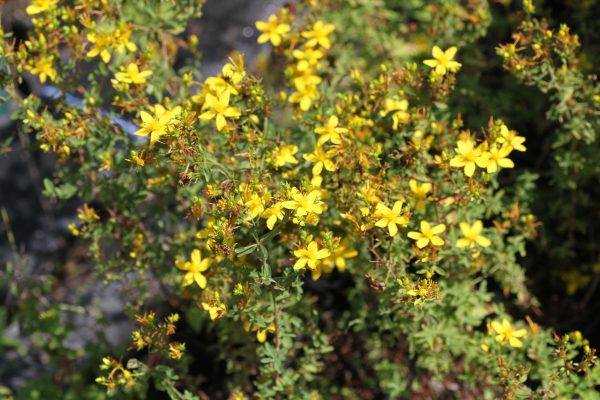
pixel 328 225
